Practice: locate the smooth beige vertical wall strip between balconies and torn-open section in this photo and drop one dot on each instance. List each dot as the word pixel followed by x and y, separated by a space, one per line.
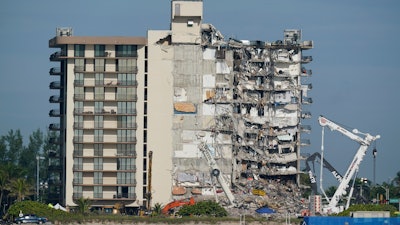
pixel 160 113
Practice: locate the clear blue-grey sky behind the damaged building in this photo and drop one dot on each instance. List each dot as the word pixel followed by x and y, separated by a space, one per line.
pixel 355 60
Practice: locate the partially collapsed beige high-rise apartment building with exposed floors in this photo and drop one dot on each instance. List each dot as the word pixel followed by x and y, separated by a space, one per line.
pixel 133 118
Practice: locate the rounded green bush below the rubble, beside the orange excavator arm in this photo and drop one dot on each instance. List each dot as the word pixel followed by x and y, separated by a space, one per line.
pixel 204 208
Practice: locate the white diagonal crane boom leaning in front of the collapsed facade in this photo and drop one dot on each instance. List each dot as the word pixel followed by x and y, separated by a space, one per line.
pixel 216 171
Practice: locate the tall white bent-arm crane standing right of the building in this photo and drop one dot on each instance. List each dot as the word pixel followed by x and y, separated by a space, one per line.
pixel 365 142
